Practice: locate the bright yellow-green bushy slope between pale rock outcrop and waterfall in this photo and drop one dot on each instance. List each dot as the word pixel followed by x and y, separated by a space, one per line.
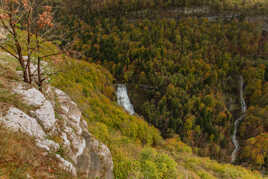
pixel 137 148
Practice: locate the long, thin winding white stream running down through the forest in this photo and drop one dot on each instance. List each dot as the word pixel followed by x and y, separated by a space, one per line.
pixel 236 124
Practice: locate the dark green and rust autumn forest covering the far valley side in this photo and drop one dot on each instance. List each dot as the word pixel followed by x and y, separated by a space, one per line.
pixel 183 70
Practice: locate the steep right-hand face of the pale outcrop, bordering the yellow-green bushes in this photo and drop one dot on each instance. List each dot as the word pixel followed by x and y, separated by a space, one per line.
pixel 92 158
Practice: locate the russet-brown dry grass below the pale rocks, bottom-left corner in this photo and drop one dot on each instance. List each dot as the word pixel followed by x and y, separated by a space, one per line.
pixel 20 157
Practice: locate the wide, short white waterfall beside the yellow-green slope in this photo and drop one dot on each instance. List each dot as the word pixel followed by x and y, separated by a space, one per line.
pixel 123 99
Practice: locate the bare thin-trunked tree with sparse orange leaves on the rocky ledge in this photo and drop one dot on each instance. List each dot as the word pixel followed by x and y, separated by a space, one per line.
pixel 34 21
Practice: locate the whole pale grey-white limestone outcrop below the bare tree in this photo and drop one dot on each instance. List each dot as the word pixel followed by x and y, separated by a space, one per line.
pixel 67 134
